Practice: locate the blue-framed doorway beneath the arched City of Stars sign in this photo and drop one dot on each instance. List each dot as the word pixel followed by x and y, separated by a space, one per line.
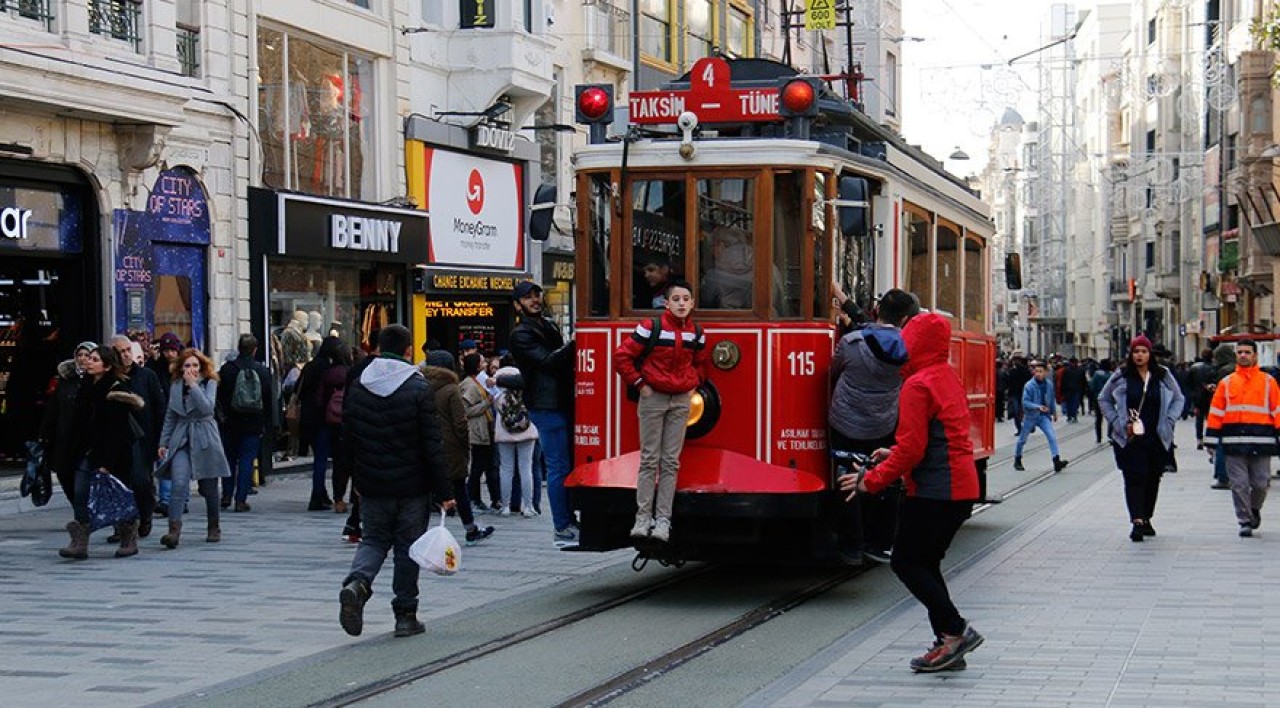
pixel 180 293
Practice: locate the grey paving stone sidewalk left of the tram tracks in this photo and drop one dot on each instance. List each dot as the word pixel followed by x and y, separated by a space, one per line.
pixel 167 624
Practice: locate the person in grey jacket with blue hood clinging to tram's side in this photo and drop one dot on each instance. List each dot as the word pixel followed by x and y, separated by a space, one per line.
pixel 863 415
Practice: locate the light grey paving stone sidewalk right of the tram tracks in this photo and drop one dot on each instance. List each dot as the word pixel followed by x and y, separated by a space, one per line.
pixel 1076 614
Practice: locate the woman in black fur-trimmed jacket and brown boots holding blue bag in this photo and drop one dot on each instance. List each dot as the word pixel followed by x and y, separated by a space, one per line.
pixel 103 438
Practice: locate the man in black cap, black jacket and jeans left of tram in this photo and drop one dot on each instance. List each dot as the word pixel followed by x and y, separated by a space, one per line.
pixel 546 364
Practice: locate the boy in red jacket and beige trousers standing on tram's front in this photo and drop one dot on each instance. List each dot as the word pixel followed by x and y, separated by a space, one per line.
pixel 665 366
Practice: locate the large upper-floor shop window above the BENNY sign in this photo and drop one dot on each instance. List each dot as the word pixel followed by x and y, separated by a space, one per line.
pixel 316 117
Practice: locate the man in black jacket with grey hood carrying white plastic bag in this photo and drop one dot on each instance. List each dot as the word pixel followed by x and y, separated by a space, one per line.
pixel 391 423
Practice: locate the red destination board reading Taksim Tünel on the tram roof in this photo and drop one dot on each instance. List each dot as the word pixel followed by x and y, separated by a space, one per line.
pixel 710 95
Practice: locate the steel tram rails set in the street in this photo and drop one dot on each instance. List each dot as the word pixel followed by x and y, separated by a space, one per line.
pixel 633 679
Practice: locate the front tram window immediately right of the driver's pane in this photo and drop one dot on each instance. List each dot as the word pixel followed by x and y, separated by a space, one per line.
pixel 726 248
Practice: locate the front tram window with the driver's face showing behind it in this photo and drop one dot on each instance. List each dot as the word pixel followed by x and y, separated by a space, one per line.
pixel 657 240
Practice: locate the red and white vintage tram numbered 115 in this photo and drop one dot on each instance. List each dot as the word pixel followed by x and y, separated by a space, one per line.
pixel 761 188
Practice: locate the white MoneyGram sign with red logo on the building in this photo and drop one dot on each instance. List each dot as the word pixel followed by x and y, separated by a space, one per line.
pixel 477 211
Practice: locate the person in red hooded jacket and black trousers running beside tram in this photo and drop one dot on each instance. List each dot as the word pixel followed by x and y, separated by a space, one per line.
pixel 934 455
